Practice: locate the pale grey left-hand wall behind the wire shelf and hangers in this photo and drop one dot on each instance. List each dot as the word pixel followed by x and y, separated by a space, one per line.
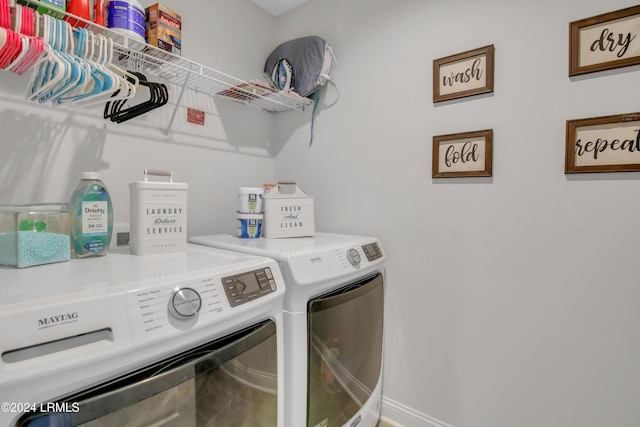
pixel 44 149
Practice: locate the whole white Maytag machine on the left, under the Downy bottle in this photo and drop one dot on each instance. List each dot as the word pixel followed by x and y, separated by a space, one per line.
pixel 185 339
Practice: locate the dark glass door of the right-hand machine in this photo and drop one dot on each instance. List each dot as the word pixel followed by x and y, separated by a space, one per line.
pixel 345 351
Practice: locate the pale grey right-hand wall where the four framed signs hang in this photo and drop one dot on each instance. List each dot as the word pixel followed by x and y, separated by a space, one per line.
pixel 511 300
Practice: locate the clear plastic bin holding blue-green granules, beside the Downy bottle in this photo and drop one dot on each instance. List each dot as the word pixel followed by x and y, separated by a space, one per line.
pixel 34 234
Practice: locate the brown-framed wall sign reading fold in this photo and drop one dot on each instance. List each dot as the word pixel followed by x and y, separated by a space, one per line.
pixel 468 154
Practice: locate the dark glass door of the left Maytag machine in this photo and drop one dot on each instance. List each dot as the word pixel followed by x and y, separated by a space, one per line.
pixel 231 381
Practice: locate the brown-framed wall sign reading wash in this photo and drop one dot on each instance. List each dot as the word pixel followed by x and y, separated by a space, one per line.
pixel 465 74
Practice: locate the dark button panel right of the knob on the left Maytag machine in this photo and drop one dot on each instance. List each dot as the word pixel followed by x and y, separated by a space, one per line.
pixel 246 287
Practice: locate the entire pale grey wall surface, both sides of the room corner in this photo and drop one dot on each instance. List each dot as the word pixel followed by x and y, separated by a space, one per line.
pixel 512 300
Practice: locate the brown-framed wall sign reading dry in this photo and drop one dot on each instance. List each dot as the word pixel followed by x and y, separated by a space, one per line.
pixel 604 42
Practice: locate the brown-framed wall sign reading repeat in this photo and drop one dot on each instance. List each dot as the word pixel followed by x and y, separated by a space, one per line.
pixel 603 144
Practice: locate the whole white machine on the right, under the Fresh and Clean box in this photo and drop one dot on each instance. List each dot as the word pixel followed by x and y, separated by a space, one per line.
pixel 333 324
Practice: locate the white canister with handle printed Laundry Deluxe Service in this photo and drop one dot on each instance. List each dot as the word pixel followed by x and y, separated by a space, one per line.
pixel 158 215
